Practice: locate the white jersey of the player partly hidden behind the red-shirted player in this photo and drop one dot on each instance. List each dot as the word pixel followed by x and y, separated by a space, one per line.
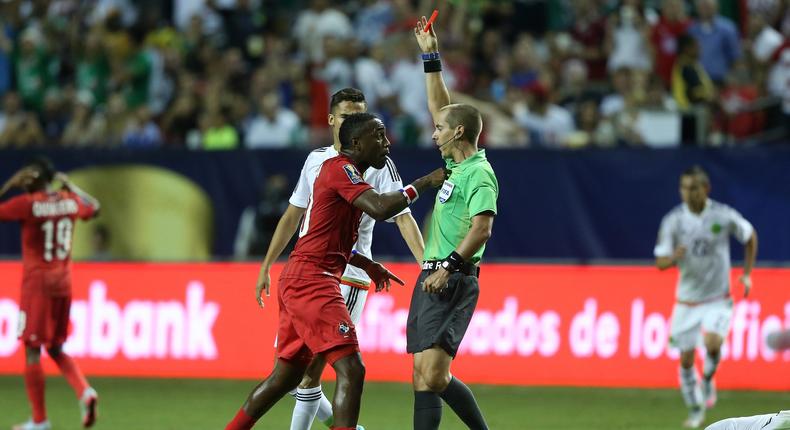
pixel 383 180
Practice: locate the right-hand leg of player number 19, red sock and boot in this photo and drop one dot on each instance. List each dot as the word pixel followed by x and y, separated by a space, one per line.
pixel 86 395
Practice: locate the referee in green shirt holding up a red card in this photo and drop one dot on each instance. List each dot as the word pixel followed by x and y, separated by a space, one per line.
pixel 446 292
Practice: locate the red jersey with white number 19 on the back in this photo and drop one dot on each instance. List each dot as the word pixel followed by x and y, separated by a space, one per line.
pixel 47 220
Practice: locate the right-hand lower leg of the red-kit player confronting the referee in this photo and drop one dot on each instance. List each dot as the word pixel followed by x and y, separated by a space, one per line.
pixel 347 362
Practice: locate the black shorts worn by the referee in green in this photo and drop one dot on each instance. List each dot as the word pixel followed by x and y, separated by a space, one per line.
pixel 441 318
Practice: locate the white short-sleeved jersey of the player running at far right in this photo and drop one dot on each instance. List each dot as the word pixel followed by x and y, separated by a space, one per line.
pixel 705 269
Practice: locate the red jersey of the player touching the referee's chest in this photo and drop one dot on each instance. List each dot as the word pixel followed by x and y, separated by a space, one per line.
pixel 331 221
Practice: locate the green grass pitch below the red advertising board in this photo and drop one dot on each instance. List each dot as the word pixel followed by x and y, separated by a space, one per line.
pixel 153 404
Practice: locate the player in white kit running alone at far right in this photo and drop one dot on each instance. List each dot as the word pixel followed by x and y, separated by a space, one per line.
pixel 695 236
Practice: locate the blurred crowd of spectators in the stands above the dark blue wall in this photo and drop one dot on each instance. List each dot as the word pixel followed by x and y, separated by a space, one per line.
pixel 226 74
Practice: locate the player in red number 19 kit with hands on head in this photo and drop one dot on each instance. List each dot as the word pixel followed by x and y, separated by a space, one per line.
pixel 47 217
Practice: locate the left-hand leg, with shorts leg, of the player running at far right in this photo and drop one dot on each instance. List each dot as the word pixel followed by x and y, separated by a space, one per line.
pixel 685 334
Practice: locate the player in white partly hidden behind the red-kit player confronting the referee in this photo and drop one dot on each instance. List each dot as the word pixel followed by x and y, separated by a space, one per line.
pixel 310 399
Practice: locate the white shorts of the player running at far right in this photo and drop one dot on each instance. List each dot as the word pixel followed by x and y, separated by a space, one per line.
pixel 690 321
